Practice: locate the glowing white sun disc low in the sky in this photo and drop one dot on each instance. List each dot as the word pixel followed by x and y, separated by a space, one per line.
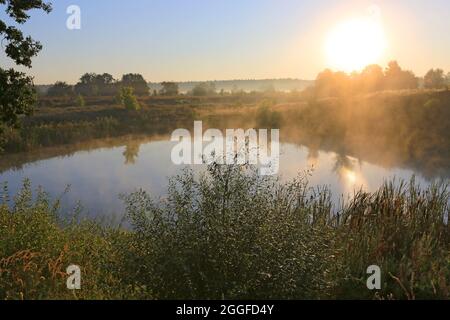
pixel 355 43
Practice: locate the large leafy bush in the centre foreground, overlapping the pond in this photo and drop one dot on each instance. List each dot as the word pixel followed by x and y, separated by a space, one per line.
pixel 233 235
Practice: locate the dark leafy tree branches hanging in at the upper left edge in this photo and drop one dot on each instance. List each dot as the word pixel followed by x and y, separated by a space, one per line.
pixel 17 93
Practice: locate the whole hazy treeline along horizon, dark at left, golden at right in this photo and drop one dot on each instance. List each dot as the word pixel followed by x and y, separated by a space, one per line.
pixel 327 84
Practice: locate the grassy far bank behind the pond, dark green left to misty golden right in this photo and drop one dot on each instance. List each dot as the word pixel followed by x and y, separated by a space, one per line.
pixel 407 129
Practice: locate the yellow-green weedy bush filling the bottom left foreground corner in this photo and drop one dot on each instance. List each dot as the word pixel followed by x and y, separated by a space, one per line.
pixel 38 245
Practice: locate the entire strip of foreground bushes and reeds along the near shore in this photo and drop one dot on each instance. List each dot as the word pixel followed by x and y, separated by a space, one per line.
pixel 232 234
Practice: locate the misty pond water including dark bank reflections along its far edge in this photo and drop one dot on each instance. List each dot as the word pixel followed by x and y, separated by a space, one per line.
pixel 99 172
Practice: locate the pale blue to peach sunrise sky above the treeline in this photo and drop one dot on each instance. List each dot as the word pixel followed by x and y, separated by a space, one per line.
pixel 182 40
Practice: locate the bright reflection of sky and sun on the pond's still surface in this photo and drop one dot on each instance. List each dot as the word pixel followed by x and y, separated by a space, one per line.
pixel 98 177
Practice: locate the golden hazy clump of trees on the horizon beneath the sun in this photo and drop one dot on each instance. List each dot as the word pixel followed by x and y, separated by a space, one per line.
pixel 372 79
